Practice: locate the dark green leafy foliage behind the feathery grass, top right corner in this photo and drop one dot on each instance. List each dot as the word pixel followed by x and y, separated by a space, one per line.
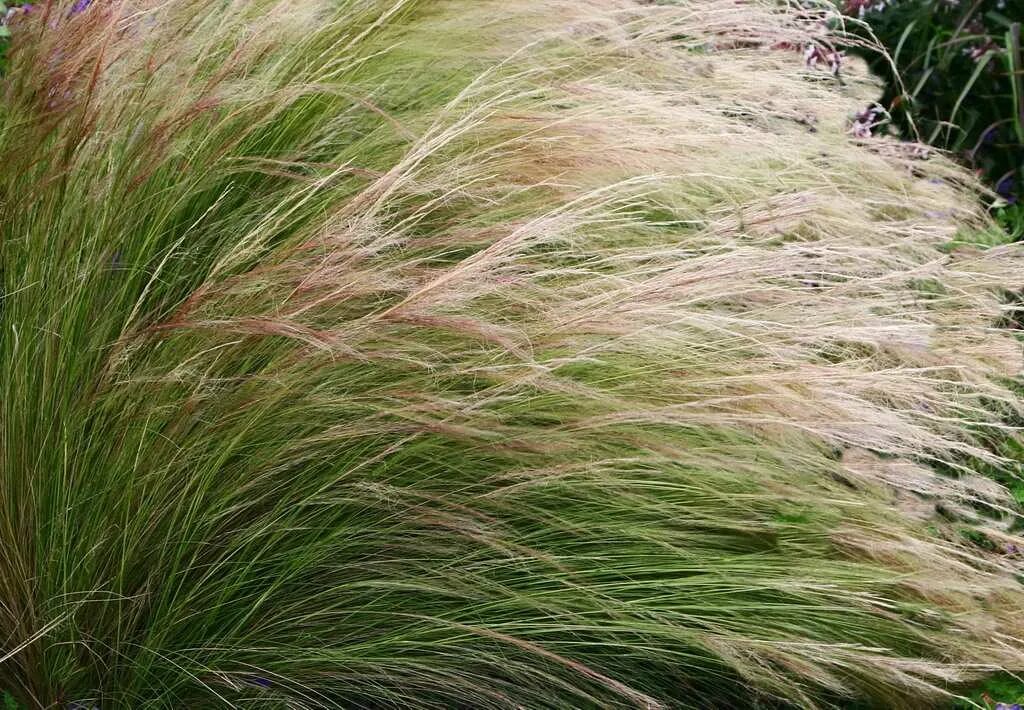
pixel 961 89
